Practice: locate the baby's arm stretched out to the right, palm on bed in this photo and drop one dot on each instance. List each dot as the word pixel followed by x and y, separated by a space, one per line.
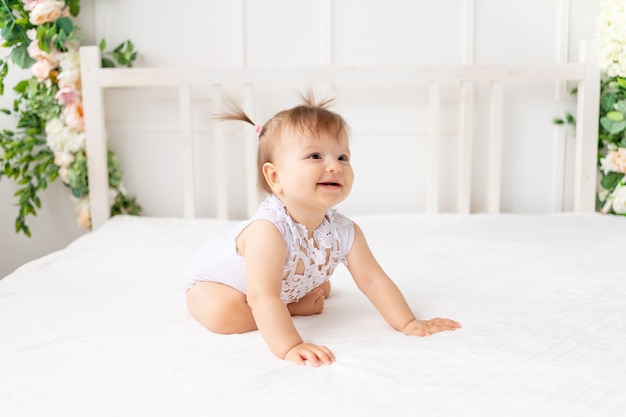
pixel 385 295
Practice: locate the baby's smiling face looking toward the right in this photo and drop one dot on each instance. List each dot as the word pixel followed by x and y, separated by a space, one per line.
pixel 313 171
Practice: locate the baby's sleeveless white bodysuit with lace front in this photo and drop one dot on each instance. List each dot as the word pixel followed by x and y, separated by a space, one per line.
pixel 218 260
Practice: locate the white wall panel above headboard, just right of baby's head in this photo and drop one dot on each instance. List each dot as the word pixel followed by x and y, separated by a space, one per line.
pixel 398 32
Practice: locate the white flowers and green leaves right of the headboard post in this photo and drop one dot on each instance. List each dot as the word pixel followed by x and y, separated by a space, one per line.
pixel 612 131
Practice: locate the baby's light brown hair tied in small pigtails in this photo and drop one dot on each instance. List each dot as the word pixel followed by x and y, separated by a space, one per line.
pixel 310 117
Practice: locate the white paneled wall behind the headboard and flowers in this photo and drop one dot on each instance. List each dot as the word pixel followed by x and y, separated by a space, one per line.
pixel 218 33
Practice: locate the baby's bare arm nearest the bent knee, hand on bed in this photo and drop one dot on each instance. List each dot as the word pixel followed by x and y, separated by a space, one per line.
pixel 264 252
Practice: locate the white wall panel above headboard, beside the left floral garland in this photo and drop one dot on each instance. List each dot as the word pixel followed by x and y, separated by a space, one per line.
pixel 170 34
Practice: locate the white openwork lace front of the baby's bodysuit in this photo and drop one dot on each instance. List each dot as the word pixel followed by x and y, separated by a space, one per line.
pixel 315 258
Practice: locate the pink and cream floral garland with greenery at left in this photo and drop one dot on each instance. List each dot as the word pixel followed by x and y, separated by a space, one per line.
pixel 49 139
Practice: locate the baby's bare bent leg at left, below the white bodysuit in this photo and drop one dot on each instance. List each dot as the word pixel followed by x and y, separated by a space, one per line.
pixel 220 308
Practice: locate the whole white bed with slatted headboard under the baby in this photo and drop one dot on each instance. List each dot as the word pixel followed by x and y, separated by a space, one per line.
pixel 100 328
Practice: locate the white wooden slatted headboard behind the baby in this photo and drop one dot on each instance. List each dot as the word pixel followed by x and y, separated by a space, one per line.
pixel 585 75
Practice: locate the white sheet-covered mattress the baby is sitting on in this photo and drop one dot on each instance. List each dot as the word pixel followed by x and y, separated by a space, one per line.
pixel 101 329
